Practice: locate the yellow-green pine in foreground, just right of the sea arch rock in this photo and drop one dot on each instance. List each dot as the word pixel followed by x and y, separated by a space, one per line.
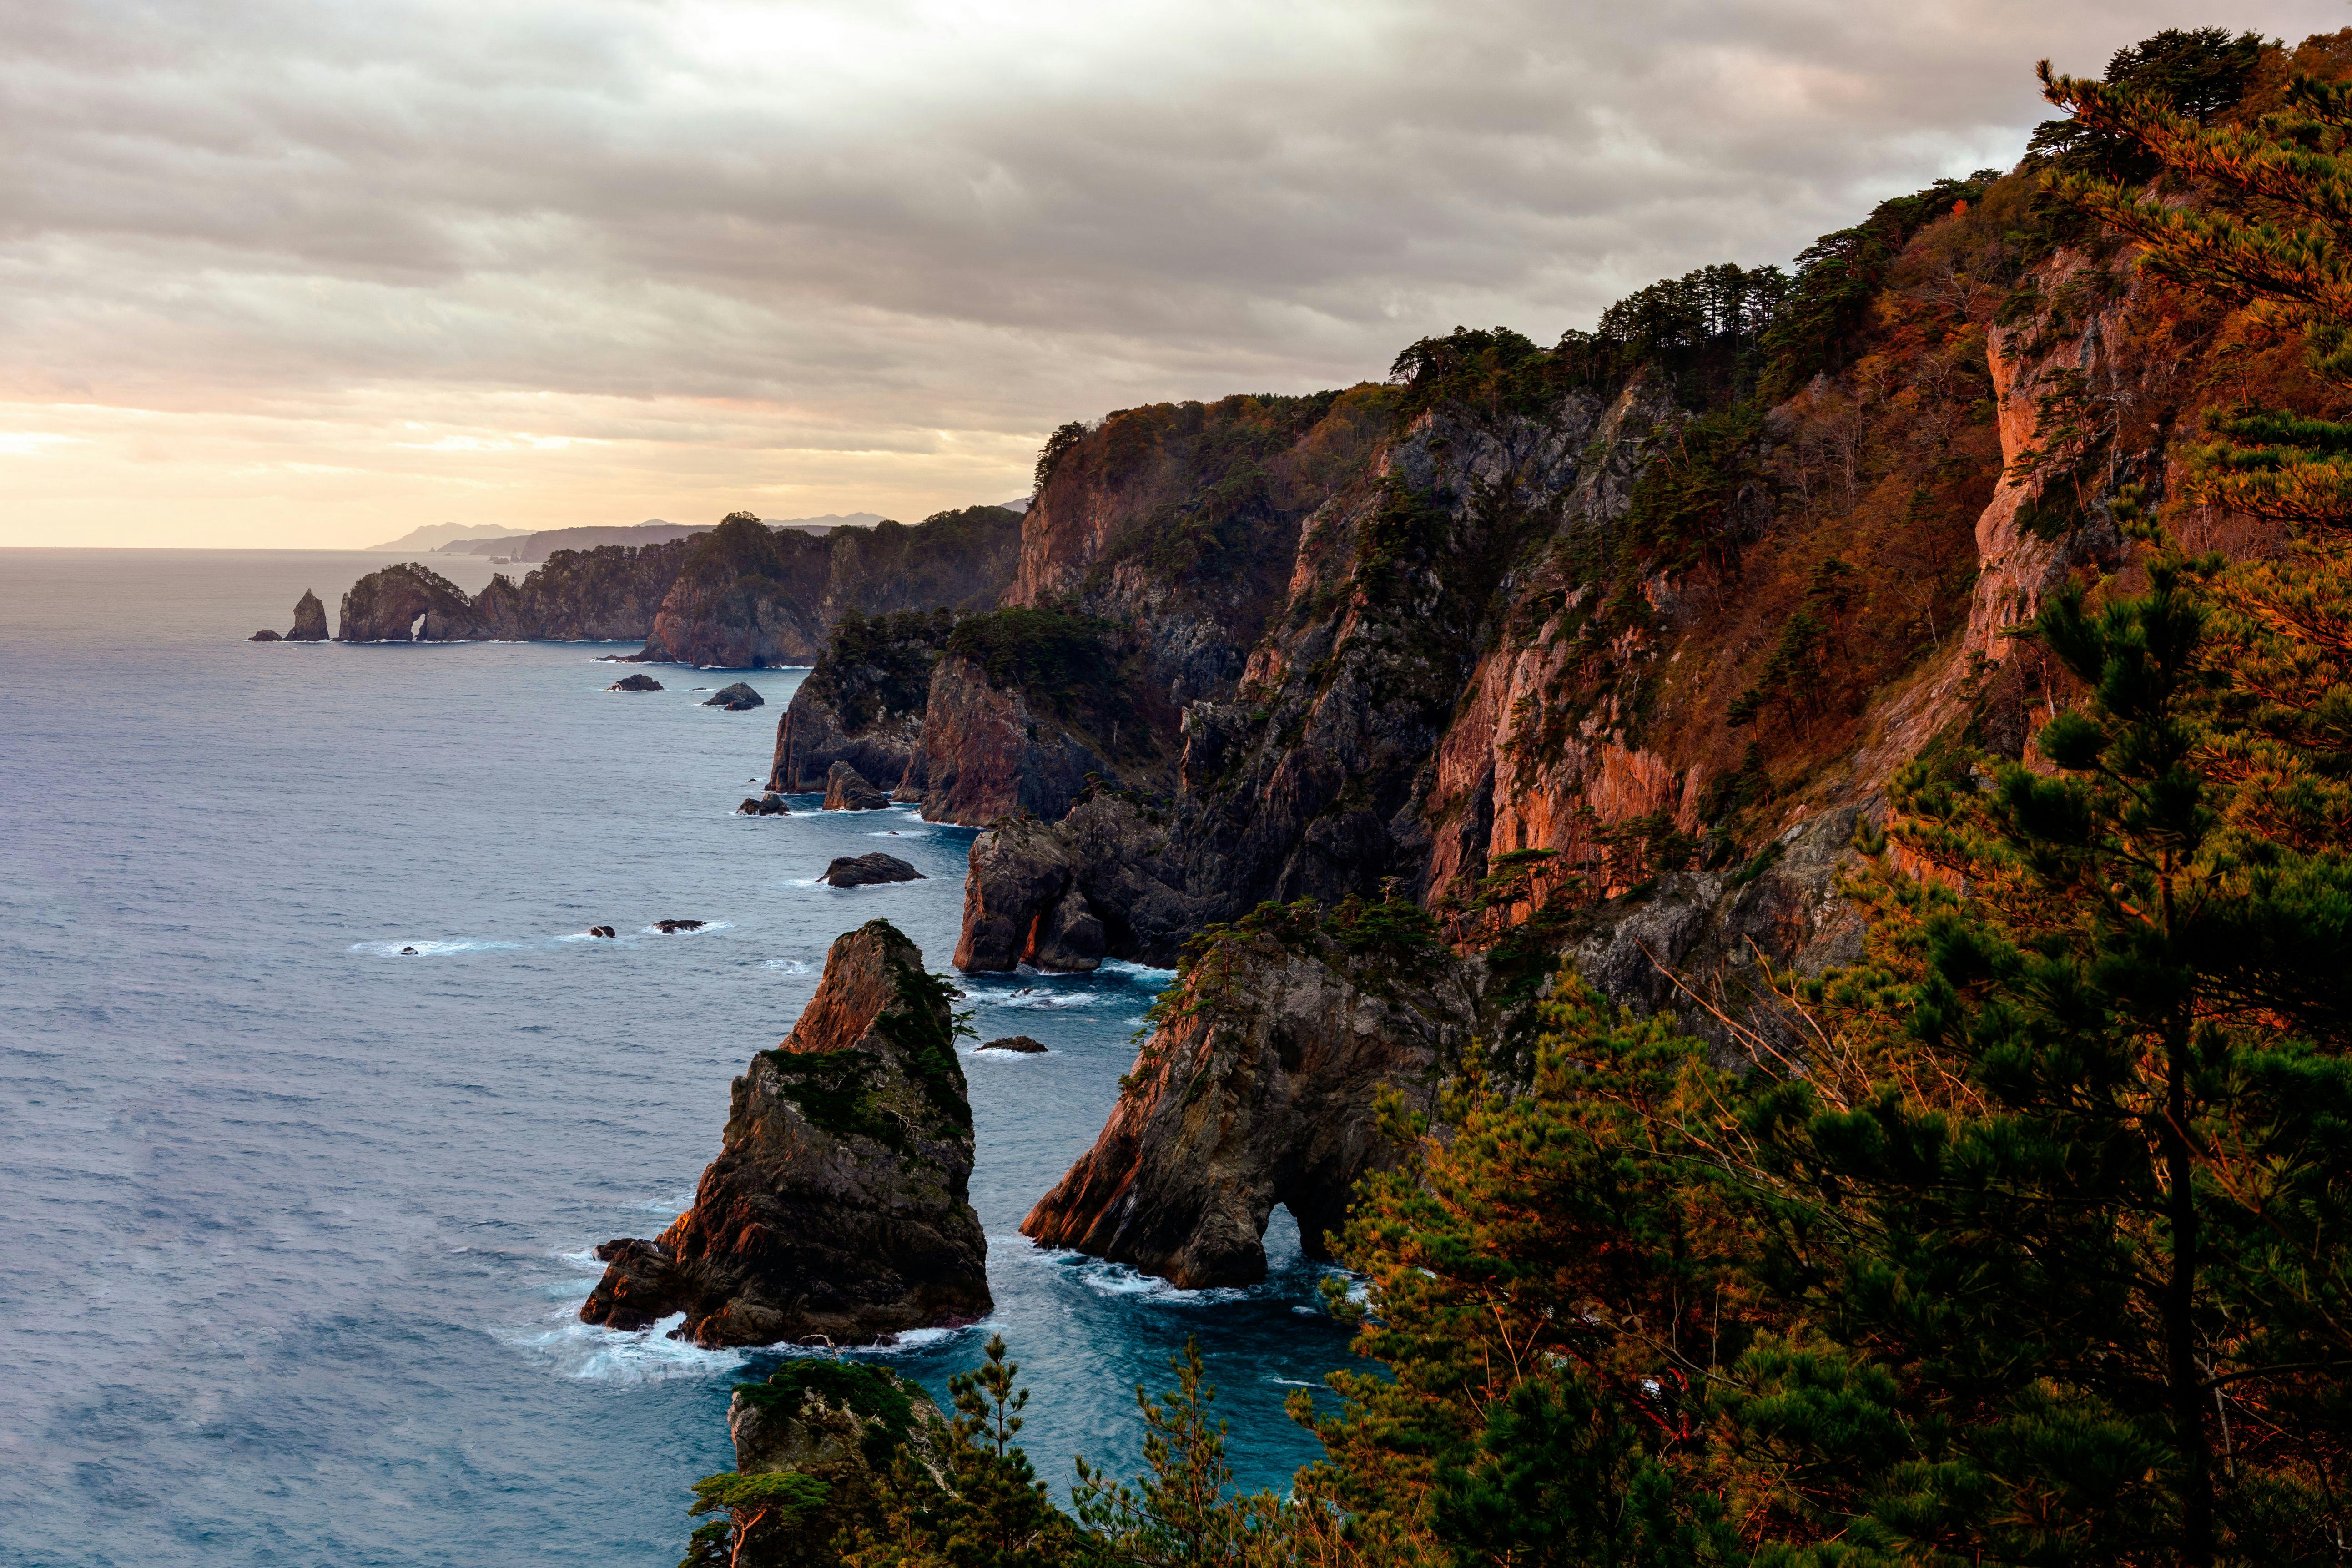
pixel 1553 1292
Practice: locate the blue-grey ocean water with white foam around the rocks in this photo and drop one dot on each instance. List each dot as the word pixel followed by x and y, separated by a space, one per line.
pixel 300 1224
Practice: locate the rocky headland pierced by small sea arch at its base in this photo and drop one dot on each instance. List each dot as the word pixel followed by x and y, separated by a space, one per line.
pixel 1259 1087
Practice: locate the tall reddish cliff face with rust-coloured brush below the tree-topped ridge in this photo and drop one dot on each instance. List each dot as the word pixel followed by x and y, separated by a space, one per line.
pixel 1593 662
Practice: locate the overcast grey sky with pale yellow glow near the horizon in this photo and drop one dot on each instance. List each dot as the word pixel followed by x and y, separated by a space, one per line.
pixel 309 274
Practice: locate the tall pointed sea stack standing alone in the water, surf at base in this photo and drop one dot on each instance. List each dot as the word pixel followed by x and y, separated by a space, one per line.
pixel 838 1202
